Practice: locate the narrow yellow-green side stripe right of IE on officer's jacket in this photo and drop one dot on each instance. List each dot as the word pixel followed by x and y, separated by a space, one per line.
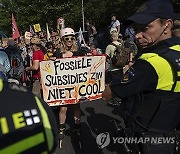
pixel 46 124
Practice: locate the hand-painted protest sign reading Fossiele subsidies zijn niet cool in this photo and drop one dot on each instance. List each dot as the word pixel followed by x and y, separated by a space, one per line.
pixel 68 80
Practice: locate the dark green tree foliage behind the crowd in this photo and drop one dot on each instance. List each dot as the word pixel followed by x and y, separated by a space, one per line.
pixel 29 12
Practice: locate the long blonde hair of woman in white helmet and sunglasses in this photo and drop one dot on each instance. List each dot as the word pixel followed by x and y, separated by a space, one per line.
pixel 64 48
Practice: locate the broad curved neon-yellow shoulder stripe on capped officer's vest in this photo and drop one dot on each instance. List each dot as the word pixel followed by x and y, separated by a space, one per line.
pixel 163 70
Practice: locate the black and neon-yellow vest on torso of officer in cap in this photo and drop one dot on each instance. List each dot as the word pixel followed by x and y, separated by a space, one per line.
pixel 160 108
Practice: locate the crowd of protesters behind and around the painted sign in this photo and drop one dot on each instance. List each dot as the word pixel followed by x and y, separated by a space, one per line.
pixel 20 61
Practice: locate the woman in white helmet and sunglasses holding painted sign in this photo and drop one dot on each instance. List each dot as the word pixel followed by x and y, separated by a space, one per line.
pixel 68 49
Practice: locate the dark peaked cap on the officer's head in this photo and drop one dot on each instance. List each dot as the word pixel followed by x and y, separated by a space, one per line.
pixel 151 10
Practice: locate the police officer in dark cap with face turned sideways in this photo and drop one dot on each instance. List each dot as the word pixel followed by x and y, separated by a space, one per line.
pixel 154 78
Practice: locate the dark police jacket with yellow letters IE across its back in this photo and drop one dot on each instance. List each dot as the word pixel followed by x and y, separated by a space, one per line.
pixel 27 124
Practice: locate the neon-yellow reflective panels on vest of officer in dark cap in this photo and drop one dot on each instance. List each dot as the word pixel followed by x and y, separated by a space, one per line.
pixel 165 69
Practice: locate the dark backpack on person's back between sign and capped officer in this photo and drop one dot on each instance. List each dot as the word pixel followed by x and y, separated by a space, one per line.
pixel 121 55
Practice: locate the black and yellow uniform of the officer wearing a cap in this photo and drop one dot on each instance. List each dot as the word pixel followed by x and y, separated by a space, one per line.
pixel 155 79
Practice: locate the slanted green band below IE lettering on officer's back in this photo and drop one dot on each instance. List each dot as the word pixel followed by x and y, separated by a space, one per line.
pixel 24 144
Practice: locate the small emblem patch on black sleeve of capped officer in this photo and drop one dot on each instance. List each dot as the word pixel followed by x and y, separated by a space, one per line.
pixel 128 76
